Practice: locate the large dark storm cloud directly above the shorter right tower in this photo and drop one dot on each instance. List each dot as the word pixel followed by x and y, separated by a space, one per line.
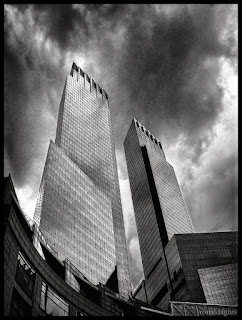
pixel 163 68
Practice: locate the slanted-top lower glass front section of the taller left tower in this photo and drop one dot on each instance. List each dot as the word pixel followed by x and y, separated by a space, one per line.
pixel 79 225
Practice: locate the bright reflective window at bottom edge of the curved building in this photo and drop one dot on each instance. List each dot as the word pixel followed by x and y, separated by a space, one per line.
pixel 52 303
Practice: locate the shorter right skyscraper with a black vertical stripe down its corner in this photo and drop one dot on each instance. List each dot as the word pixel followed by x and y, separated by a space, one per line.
pixel 160 211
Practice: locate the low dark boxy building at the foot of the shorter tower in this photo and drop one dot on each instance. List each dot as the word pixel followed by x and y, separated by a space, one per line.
pixel 201 268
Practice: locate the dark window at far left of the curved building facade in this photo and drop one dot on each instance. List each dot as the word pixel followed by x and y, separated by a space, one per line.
pixel 25 275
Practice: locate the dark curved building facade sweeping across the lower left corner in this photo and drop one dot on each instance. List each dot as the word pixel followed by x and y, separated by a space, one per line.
pixel 38 283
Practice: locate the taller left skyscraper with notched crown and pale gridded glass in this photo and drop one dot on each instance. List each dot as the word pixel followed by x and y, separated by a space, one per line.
pixel 79 208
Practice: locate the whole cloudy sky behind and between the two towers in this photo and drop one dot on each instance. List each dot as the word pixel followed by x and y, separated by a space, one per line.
pixel 172 67
